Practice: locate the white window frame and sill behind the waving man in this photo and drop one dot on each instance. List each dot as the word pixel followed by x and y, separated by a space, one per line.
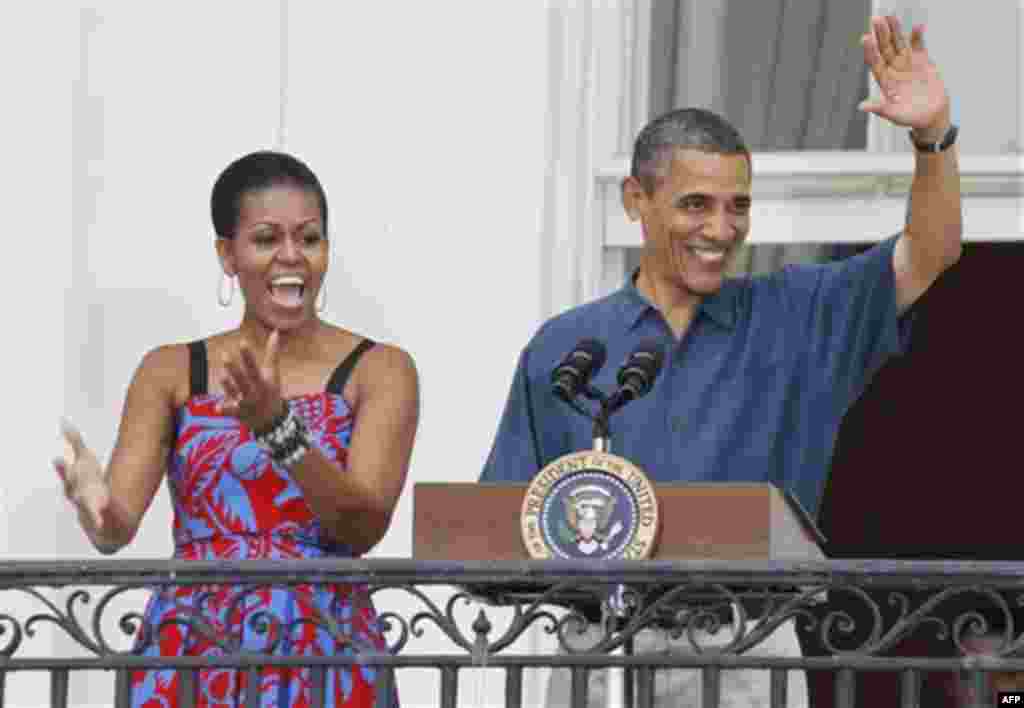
pixel 600 103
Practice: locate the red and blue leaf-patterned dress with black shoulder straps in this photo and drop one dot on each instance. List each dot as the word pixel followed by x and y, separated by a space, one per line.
pixel 231 503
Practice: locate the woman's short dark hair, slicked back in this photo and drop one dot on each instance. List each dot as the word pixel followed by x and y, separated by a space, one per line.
pixel 254 173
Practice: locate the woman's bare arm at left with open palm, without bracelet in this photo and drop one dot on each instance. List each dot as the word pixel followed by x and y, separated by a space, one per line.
pixel 111 505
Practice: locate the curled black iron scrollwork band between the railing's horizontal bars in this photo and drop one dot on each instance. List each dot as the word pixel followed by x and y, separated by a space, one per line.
pixel 697 613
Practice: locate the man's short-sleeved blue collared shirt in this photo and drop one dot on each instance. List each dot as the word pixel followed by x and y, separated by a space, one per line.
pixel 754 392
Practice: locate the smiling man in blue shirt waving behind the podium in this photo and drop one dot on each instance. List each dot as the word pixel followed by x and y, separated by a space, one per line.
pixel 758 372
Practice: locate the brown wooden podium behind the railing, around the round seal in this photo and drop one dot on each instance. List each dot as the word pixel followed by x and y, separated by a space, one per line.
pixel 699 521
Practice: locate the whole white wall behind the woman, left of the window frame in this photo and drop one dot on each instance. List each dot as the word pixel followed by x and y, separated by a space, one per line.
pixel 425 122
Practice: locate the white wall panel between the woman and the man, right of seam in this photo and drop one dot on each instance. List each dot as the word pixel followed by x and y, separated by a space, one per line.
pixel 426 122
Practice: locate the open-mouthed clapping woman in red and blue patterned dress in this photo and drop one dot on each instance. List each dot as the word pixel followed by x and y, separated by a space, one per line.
pixel 284 438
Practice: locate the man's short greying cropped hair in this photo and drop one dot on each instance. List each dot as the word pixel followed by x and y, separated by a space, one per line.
pixel 694 129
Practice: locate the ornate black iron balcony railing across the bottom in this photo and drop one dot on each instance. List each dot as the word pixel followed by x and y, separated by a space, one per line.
pixel 858 611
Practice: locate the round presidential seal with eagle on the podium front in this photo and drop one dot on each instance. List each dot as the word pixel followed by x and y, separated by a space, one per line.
pixel 590 505
